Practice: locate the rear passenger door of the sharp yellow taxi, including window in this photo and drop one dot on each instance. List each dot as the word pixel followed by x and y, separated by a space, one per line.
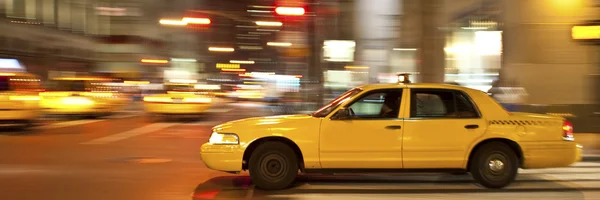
pixel 439 128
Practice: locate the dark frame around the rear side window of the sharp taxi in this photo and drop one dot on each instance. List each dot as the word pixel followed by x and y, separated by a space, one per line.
pixel 454 92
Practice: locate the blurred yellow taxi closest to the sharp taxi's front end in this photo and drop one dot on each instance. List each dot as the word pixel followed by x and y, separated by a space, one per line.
pixel 179 99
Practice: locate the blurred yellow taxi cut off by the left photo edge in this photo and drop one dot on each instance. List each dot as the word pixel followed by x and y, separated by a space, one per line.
pixel 19 100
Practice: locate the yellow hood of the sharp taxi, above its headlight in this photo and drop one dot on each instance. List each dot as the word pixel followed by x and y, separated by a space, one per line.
pixel 290 121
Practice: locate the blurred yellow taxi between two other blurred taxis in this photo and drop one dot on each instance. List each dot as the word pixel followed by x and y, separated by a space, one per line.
pixel 87 96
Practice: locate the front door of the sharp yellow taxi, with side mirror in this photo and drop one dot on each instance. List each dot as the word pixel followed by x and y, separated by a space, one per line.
pixel 370 138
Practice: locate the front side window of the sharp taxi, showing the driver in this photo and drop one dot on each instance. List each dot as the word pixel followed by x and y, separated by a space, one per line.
pixel 377 105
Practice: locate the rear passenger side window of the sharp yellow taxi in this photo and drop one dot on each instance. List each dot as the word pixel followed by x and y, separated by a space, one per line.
pixel 440 103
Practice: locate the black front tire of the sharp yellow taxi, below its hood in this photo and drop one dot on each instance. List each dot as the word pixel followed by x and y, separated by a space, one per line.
pixel 273 166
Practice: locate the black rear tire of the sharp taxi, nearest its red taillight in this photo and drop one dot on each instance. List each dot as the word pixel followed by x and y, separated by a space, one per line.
pixel 486 170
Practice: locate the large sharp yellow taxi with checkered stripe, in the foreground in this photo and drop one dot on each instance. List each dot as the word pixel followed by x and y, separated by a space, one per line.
pixel 401 127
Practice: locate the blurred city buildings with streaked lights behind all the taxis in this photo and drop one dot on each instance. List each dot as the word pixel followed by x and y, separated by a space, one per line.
pixel 523 52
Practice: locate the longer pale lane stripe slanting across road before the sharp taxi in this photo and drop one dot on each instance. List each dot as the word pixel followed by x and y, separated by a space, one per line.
pixel 131 133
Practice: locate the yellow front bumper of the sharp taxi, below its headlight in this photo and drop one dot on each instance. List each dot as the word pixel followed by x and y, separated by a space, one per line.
pixel 227 158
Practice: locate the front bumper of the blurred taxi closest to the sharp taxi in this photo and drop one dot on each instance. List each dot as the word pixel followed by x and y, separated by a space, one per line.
pixel 176 108
